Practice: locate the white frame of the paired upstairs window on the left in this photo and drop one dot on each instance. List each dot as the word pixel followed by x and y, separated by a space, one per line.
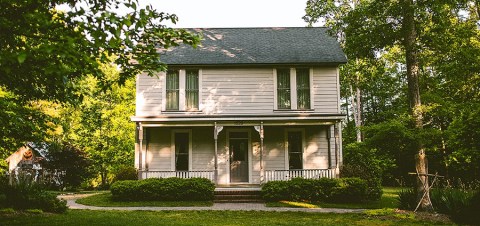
pixel 182 73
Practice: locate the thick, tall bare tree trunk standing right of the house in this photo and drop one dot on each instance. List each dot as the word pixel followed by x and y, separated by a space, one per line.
pixel 410 36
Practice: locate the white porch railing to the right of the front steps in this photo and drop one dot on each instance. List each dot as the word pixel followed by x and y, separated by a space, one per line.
pixel 276 175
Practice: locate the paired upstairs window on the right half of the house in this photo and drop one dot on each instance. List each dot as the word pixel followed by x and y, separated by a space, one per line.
pixel 293 89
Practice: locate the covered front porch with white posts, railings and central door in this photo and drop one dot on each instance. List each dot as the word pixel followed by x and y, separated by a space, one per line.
pixel 239 150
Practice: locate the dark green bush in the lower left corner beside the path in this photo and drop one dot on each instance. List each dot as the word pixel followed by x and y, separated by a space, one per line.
pixel 24 196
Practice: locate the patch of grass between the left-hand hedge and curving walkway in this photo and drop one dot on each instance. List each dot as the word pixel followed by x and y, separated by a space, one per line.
pixel 105 199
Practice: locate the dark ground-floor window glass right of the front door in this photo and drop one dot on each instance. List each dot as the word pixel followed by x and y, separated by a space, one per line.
pixel 295 150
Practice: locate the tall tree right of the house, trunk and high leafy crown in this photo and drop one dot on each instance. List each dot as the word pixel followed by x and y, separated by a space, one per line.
pixel 371 27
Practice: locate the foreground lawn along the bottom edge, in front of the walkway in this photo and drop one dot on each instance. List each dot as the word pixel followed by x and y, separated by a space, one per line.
pixel 91 217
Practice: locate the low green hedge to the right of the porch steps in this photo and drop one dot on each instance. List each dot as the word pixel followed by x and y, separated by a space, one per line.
pixel 343 190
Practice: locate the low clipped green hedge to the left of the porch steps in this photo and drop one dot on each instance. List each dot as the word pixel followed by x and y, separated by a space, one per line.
pixel 163 189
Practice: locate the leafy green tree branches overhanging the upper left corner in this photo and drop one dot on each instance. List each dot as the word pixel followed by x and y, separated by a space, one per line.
pixel 44 53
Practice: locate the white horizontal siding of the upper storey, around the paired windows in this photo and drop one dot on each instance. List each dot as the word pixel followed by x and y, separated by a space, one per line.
pixel 239 91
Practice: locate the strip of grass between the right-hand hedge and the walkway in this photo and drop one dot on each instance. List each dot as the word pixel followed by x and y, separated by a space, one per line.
pixel 388 200
